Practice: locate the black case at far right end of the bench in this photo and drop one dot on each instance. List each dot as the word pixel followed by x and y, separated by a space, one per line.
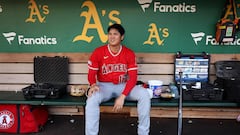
pixel 228 78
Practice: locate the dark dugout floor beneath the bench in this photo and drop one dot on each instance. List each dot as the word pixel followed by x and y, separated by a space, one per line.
pixel 115 124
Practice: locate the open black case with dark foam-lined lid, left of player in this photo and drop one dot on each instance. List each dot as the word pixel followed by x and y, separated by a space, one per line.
pixel 50 76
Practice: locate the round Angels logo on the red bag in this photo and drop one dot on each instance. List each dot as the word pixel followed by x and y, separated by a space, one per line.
pixel 6 119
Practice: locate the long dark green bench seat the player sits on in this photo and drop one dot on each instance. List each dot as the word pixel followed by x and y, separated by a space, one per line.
pixel 12 97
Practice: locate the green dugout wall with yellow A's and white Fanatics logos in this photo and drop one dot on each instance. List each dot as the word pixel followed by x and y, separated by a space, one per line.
pixel 152 26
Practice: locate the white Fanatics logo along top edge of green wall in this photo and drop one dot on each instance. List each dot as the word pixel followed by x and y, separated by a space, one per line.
pixel 167 8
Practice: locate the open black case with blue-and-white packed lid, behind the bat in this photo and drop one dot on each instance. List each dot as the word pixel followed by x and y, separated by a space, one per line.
pixel 195 77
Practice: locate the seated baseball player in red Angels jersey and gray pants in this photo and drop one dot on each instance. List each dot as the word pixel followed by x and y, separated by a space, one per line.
pixel 113 74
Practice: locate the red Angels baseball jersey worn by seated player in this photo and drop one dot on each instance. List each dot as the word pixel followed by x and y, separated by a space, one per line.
pixel 115 68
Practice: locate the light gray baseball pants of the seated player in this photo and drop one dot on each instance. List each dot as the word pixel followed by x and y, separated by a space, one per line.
pixel 110 90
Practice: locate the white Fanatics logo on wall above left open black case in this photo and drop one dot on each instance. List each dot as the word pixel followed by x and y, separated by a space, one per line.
pixel 22 40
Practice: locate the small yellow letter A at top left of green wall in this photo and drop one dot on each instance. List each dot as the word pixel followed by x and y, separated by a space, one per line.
pixel 34 11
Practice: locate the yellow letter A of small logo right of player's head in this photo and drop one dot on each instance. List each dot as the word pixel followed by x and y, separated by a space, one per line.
pixel 153 34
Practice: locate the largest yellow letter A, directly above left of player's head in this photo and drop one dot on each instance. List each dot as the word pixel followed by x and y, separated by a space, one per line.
pixel 92 13
